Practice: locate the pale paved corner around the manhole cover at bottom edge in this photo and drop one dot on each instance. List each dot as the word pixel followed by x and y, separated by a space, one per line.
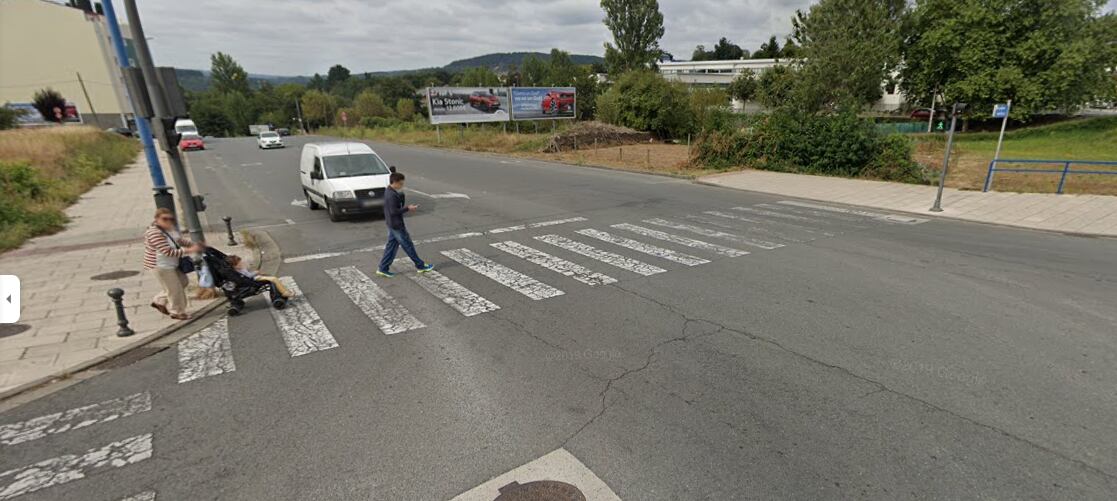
pixel 557 477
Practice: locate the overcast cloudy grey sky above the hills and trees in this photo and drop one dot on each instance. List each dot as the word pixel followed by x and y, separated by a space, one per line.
pixel 303 37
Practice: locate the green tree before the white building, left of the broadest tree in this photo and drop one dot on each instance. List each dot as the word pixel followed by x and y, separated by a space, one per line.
pixel 849 49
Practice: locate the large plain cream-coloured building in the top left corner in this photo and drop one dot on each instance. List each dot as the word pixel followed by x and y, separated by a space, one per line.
pixel 45 44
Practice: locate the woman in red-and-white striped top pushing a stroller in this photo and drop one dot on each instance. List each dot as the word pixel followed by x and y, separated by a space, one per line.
pixel 165 250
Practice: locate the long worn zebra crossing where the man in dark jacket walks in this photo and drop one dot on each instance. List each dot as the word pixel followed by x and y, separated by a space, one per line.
pixel 533 267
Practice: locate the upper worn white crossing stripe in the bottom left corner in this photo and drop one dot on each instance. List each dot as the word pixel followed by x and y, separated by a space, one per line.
pixel 80 418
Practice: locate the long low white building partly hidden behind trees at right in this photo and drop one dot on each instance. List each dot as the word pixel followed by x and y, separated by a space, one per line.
pixel 722 73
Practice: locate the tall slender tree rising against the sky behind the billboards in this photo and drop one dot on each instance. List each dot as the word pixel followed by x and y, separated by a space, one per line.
pixel 637 27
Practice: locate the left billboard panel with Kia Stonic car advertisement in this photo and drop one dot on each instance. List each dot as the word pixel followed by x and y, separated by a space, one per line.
pixel 467 105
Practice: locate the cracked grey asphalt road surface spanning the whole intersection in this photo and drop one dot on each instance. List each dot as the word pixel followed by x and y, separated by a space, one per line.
pixel 863 359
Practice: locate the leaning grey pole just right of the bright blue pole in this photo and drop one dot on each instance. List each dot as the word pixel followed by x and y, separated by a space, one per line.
pixel 165 121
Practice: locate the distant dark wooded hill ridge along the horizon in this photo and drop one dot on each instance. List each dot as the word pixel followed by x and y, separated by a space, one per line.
pixel 198 80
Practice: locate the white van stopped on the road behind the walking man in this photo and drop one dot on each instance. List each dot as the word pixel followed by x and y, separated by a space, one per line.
pixel 345 178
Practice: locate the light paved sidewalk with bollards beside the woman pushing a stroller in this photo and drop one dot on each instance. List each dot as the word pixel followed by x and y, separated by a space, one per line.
pixel 69 319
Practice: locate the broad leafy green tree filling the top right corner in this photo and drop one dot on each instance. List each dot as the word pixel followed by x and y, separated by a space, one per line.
pixel 1043 55
